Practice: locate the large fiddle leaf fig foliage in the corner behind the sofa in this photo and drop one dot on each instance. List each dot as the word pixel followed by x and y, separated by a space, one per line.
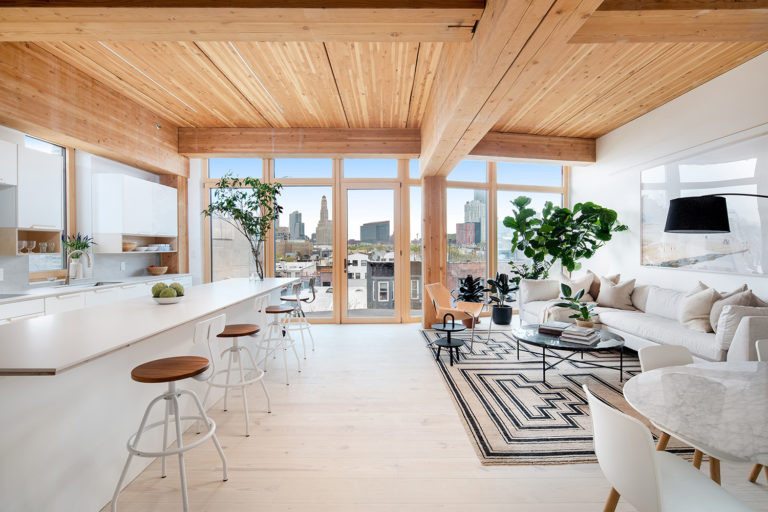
pixel 558 233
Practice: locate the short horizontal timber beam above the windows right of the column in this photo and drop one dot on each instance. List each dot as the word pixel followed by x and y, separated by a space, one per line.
pixel 539 147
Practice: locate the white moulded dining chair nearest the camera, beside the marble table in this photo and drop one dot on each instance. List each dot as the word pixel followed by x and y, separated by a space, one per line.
pixel 651 480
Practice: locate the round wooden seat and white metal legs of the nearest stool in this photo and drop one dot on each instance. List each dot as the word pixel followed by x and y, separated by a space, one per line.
pixel 170 370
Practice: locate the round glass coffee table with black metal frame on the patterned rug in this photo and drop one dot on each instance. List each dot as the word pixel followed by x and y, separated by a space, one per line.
pixel 530 335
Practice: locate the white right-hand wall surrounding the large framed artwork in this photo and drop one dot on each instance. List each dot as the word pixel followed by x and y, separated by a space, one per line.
pixel 732 107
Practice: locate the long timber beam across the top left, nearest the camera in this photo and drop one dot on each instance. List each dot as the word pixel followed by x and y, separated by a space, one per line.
pixel 238 20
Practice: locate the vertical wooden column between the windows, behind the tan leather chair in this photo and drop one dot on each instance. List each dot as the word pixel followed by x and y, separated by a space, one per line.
pixel 435 268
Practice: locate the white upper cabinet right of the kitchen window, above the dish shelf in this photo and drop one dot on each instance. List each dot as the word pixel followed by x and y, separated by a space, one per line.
pixel 132 206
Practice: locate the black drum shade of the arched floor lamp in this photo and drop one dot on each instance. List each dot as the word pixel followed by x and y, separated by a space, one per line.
pixel 703 214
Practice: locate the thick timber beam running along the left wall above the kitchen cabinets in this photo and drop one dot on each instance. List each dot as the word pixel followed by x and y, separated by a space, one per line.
pixel 48 98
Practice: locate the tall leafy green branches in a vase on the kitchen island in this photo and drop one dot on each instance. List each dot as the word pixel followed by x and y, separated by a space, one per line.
pixel 250 206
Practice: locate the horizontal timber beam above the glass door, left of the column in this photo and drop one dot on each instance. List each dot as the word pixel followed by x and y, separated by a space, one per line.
pixel 265 142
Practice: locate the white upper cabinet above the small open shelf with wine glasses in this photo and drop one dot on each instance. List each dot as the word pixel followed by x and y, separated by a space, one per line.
pixel 40 190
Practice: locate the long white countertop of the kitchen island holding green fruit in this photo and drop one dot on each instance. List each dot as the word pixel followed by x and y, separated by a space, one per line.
pixel 51 344
